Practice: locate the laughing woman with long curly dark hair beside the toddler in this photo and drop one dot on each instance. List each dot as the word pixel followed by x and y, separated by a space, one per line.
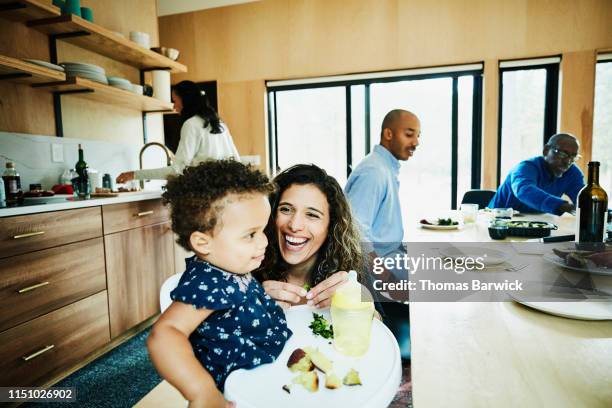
pixel 313 240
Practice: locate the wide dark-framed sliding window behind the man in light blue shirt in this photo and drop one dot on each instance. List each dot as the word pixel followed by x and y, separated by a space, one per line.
pixel 334 122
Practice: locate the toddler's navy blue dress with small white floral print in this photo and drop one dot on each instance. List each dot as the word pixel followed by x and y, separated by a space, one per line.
pixel 247 327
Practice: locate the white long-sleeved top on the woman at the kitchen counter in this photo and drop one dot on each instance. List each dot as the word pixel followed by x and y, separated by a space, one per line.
pixel 197 144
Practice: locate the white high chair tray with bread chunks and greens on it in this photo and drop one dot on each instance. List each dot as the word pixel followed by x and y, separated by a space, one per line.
pixel 310 372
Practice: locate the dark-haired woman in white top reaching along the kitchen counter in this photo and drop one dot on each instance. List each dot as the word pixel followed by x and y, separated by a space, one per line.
pixel 203 135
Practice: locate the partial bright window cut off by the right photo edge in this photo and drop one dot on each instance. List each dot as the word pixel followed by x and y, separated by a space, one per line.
pixel 602 122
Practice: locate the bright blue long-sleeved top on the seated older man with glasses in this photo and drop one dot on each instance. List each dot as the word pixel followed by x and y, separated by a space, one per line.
pixel 530 187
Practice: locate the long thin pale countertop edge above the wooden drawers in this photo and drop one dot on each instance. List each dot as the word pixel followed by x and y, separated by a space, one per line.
pixel 68 205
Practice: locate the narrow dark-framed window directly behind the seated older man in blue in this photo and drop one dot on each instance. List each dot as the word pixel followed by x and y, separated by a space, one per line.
pixel 528 110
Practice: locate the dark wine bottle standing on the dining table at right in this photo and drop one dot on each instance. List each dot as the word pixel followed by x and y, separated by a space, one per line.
pixel 591 212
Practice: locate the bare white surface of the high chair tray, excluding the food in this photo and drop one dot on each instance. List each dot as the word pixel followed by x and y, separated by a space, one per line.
pixel 379 369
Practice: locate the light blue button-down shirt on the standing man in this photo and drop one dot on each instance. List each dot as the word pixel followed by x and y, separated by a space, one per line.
pixel 373 191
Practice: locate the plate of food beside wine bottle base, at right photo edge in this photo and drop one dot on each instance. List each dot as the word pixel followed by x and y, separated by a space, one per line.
pixel 595 262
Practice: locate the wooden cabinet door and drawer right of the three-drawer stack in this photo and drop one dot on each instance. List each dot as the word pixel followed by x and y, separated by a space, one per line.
pixel 138 261
